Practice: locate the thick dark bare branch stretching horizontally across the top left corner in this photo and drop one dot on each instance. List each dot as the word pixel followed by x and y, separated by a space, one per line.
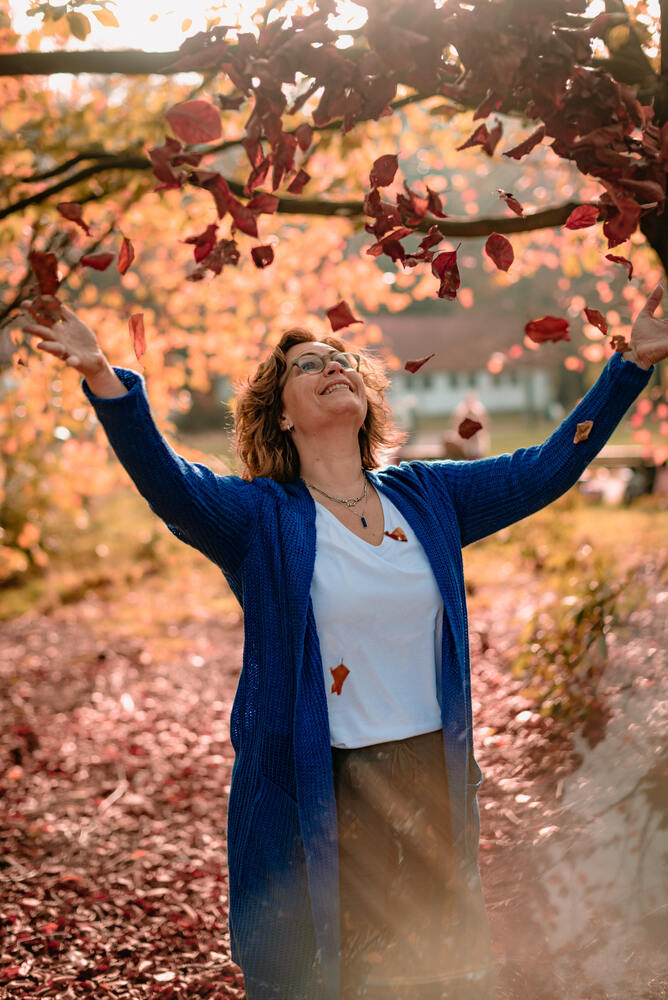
pixel 130 62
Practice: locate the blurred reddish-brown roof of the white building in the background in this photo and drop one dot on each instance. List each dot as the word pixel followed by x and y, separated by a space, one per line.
pixel 465 342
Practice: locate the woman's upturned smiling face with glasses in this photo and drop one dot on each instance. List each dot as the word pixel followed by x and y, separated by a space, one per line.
pixel 310 399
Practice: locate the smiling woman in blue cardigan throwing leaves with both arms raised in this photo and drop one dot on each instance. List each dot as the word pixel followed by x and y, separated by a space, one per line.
pixel 353 820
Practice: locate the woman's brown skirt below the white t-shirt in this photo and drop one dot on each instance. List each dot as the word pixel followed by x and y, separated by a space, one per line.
pixel 413 922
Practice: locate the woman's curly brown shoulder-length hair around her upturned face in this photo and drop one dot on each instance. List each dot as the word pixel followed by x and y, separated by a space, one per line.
pixel 266 450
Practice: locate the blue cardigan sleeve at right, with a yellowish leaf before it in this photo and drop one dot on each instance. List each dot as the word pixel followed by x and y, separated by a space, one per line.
pixel 489 494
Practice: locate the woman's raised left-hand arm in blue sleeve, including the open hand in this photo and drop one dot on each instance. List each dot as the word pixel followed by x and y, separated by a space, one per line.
pixel 215 514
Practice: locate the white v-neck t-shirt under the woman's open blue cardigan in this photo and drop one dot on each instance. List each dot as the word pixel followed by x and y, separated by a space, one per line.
pixel 378 611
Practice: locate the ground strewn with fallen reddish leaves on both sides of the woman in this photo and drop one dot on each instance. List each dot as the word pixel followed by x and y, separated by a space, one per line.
pixel 115 766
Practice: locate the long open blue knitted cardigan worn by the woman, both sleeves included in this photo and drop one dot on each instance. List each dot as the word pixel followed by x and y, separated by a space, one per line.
pixel 282 826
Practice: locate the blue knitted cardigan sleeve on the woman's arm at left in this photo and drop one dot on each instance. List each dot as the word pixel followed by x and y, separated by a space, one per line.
pixel 213 513
